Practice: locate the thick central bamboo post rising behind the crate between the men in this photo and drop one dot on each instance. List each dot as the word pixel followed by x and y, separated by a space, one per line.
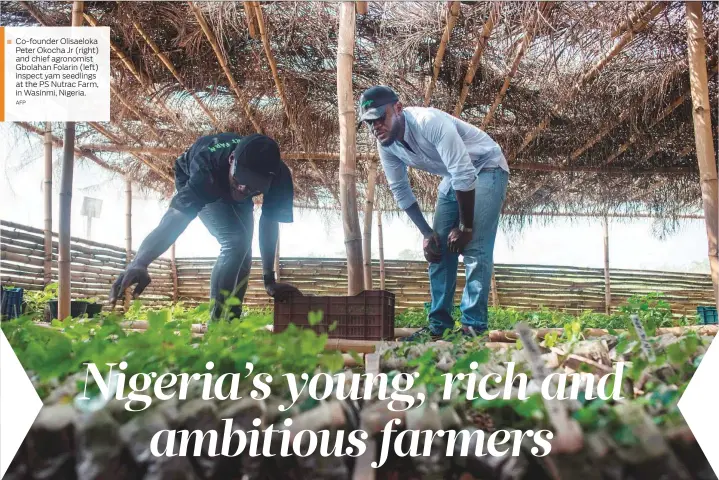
pixel 348 147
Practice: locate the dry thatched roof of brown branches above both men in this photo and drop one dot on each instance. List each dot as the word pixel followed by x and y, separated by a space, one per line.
pixel 596 116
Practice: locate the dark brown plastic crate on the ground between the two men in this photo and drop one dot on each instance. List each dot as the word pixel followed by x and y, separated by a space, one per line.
pixel 368 315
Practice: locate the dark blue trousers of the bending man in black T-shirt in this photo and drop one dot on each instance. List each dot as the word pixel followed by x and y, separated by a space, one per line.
pixel 232 225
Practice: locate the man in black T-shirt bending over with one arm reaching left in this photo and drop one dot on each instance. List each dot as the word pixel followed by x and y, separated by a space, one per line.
pixel 216 179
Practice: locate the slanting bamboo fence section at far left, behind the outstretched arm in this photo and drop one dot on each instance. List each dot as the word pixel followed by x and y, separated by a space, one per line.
pixel 94 266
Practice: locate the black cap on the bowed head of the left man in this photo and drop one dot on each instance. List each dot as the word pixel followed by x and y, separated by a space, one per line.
pixel 257 162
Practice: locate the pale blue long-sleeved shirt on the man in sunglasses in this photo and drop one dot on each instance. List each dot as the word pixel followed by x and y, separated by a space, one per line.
pixel 441 144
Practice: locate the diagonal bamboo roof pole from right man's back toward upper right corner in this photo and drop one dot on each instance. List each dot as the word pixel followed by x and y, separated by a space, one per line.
pixel 590 75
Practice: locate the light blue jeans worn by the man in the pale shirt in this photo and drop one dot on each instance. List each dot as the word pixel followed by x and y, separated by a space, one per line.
pixel 490 192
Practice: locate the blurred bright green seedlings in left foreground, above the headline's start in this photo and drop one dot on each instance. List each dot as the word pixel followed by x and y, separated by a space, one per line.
pixel 51 355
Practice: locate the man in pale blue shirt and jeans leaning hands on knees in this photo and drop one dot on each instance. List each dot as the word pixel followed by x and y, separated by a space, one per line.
pixel 469 201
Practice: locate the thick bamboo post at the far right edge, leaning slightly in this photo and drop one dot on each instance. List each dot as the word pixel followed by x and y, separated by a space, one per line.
pixel 703 132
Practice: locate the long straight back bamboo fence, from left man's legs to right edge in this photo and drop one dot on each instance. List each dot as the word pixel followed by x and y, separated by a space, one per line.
pixel 521 286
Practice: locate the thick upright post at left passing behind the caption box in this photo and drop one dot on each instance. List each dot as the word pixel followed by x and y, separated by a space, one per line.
pixel 68 160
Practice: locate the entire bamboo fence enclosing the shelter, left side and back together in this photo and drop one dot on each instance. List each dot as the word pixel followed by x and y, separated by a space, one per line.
pixel 96 265
